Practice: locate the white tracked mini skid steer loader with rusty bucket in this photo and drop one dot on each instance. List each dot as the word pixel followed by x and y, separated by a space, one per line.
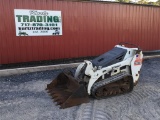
pixel 112 73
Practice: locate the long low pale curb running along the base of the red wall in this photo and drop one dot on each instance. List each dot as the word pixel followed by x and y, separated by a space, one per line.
pixel 16 71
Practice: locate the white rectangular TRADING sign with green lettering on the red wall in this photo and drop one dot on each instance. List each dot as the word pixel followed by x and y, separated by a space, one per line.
pixel 37 22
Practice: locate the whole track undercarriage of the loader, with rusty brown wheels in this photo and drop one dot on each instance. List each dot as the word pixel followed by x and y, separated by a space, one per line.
pixel 115 85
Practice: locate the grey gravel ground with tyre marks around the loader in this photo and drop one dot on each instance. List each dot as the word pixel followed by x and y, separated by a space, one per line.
pixel 22 97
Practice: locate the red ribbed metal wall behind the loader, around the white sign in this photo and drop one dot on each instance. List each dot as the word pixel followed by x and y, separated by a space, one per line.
pixel 89 29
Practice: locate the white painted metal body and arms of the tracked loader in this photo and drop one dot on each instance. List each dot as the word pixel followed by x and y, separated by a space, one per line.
pixel 132 63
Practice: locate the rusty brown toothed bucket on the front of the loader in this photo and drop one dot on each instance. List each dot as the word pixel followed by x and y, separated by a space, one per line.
pixel 66 91
